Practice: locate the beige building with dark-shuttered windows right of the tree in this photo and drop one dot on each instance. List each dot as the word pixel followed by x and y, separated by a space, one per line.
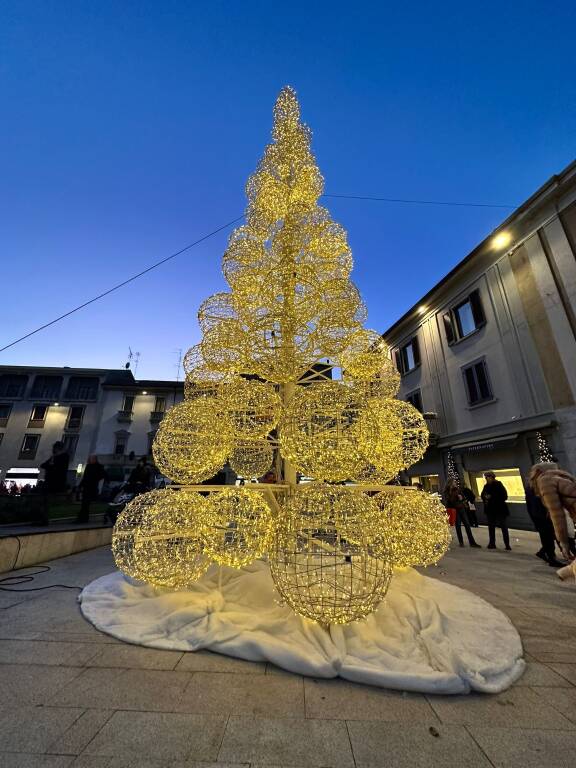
pixel 489 354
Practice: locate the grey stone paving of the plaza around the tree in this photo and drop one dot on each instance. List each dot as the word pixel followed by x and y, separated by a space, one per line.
pixel 71 697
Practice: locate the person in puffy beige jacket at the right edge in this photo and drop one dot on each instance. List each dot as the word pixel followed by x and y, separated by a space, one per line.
pixel 557 489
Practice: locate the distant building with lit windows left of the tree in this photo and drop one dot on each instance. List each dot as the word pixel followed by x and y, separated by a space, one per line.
pixel 93 411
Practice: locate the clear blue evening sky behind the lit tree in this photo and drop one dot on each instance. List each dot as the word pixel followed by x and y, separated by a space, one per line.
pixel 129 129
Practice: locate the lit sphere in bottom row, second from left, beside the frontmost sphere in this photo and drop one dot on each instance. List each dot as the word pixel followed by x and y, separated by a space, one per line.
pixel 239 527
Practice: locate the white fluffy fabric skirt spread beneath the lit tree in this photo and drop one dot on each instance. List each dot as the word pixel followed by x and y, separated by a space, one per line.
pixel 426 636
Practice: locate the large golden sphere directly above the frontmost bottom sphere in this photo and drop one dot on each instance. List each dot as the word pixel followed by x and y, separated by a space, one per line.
pixel 321 429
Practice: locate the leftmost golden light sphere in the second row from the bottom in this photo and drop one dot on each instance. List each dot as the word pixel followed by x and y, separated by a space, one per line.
pixel 193 441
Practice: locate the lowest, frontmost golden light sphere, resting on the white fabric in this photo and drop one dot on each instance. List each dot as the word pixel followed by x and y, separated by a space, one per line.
pixel 316 567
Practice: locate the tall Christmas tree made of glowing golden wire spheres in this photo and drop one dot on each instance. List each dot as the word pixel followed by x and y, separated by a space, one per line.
pixel 286 377
